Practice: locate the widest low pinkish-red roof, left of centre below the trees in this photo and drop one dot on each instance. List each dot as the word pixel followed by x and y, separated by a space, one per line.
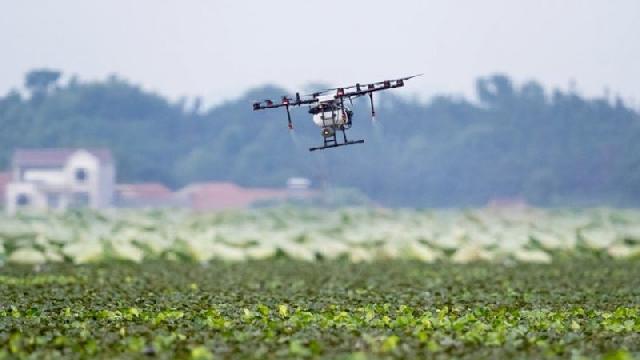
pixel 216 196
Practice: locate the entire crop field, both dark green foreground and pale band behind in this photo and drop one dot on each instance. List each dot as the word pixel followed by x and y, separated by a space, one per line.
pixel 350 284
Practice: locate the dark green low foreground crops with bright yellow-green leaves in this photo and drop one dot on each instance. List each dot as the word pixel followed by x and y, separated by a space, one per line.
pixel 271 309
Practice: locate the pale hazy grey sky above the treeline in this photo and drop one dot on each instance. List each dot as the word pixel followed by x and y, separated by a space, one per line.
pixel 219 48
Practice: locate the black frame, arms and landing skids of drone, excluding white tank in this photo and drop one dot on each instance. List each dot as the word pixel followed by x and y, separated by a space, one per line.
pixel 349 92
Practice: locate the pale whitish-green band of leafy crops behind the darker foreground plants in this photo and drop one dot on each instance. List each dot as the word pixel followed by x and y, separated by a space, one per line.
pixel 460 236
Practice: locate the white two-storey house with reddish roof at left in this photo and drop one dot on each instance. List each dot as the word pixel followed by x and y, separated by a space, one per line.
pixel 60 179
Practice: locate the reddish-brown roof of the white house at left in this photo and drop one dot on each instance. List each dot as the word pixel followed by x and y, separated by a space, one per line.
pixel 54 156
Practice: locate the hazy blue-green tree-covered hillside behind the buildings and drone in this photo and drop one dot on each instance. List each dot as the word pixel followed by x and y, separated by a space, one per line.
pixel 517 141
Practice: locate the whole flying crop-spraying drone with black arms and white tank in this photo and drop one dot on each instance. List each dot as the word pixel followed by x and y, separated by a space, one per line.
pixel 330 111
